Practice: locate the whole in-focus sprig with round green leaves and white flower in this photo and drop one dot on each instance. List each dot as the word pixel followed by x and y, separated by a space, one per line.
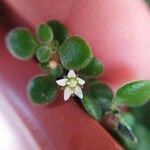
pixel 69 65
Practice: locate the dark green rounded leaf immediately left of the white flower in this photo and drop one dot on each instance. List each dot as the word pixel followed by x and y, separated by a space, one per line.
pixel 42 89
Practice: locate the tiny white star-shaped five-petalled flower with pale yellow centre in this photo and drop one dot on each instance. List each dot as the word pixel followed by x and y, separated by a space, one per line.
pixel 72 85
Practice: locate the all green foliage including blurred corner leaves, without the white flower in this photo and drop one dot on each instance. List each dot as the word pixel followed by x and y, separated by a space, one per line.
pixel 75 54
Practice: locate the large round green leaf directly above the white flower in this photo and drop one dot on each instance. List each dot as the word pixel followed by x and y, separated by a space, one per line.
pixel 75 53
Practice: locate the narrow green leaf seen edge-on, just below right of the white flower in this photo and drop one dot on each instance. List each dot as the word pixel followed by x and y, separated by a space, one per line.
pixel 93 110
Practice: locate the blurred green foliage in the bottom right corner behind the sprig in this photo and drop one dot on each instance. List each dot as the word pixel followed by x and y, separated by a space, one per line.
pixel 141 127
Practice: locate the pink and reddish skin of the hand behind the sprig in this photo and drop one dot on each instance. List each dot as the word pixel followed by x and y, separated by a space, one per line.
pixel 118 32
